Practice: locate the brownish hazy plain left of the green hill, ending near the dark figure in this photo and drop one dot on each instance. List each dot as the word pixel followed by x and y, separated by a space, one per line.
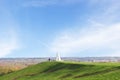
pixel 8 65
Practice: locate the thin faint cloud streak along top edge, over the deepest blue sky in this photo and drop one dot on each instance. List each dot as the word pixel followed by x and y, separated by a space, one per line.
pixel 44 3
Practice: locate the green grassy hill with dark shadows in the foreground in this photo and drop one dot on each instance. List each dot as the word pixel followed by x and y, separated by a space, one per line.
pixel 67 71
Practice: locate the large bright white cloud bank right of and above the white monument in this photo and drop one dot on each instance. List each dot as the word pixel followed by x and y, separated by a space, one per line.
pixel 104 37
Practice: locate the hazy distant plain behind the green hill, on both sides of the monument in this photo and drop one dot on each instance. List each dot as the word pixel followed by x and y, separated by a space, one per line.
pixel 9 65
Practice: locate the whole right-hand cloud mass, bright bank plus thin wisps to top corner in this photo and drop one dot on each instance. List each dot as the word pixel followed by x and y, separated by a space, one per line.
pixel 100 33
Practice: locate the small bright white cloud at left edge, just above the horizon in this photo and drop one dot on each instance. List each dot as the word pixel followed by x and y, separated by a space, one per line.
pixel 8 42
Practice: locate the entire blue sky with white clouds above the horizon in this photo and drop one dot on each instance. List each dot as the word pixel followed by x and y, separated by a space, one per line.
pixel 73 28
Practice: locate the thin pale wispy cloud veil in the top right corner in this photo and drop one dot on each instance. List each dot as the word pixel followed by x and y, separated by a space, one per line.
pixel 107 12
